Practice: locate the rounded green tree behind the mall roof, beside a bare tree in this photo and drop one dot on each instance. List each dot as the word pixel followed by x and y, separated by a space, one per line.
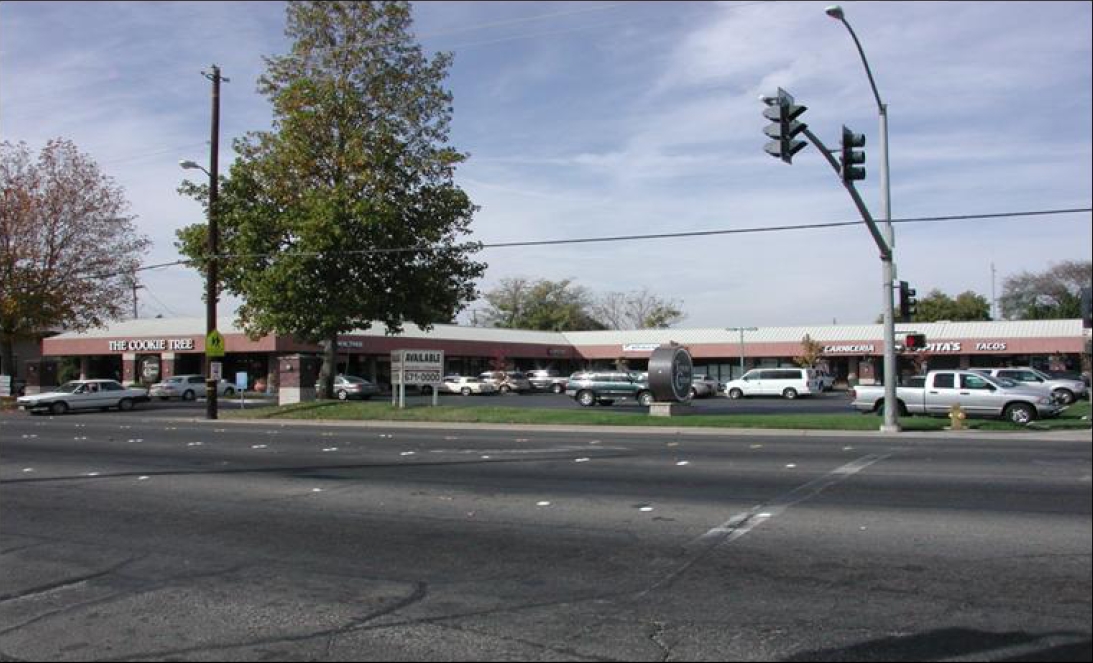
pixel 540 305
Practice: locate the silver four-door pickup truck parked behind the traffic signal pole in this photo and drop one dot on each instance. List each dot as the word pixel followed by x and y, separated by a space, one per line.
pixel 977 395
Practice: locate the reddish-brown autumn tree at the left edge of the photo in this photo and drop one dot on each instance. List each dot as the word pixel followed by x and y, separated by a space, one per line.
pixel 68 251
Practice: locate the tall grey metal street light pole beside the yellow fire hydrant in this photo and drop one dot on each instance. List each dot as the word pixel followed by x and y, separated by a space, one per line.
pixel 888 266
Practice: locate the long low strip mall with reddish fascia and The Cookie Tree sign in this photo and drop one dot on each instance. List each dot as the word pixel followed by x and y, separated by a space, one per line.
pixel 146 351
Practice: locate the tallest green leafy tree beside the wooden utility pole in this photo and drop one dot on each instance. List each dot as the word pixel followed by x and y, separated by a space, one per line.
pixel 346 212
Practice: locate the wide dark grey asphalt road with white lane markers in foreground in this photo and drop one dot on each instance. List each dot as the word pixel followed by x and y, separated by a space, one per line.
pixel 132 537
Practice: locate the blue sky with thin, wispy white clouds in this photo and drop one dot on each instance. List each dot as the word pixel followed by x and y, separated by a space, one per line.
pixel 605 120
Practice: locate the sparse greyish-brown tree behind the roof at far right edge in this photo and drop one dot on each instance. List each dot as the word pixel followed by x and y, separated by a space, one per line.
pixel 1053 294
